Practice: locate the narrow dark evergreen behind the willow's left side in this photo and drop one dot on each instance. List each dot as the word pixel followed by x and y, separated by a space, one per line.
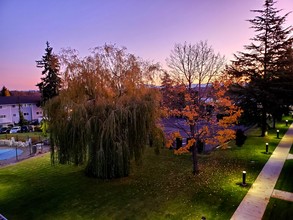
pixel 50 85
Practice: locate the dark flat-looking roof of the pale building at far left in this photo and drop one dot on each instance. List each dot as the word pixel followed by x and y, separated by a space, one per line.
pixel 6 100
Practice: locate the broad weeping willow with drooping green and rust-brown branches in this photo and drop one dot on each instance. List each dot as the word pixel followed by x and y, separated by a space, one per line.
pixel 105 114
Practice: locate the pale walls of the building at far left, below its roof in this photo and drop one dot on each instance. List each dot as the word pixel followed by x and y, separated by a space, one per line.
pixel 9 114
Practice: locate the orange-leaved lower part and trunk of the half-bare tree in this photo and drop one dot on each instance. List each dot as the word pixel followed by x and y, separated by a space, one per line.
pixel 202 118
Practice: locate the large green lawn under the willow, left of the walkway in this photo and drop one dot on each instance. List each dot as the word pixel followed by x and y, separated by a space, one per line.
pixel 161 188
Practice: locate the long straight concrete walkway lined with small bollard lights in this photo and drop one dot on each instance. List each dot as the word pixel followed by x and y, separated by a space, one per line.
pixel 255 202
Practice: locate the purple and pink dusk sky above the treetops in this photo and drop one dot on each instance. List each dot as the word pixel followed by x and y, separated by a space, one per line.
pixel 147 28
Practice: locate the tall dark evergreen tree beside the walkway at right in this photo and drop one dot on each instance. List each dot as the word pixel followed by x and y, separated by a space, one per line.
pixel 261 67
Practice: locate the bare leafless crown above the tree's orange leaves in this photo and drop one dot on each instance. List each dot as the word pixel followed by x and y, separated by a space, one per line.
pixel 195 64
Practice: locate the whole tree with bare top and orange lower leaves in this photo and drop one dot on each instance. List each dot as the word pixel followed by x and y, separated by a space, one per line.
pixel 204 102
